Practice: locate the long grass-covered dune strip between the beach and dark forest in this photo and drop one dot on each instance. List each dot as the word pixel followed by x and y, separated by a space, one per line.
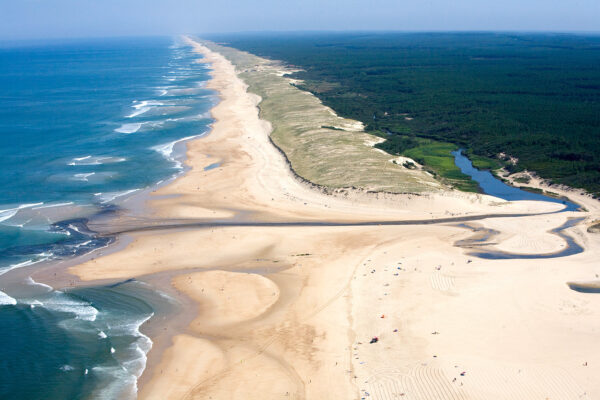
pixel 322 147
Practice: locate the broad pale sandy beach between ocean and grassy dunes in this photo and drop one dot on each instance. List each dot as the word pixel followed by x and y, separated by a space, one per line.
pixel 291 311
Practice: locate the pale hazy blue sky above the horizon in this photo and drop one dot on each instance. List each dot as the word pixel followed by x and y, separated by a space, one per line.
pixel 36 19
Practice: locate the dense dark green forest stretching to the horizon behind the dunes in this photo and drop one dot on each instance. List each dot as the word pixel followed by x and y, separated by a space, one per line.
pixel 535 97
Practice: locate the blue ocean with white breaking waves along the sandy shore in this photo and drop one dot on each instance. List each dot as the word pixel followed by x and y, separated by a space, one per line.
pixel 83 125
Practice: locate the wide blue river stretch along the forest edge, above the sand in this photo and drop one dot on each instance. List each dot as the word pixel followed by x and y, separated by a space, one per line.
pixel 493 186
